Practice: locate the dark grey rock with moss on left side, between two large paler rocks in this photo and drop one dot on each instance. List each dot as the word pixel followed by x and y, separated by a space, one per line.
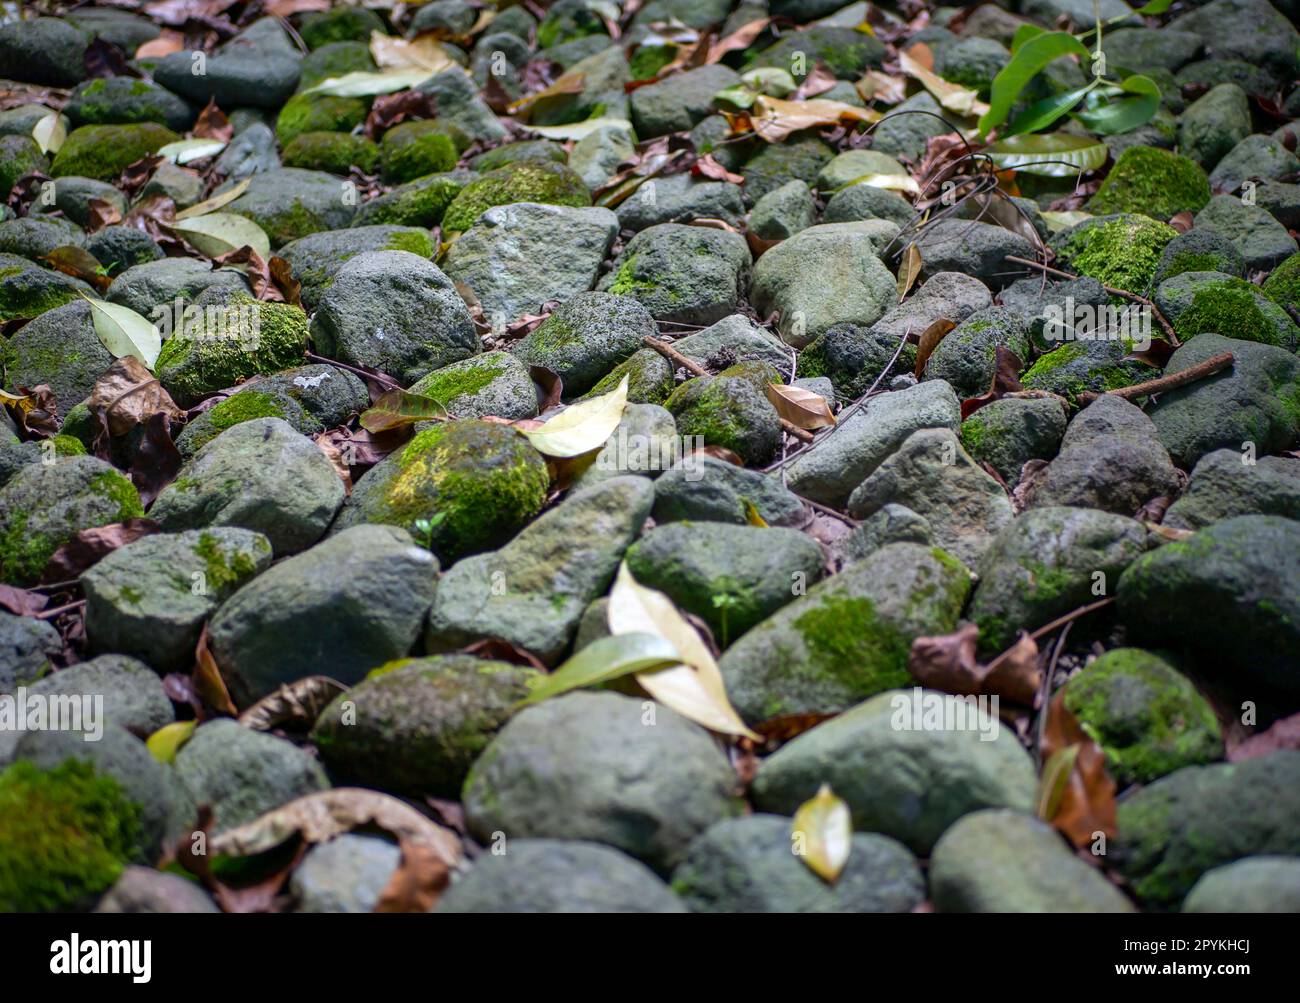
pixel 683 275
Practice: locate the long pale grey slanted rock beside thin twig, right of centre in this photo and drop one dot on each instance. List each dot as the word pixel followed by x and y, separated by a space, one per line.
pixel 835 467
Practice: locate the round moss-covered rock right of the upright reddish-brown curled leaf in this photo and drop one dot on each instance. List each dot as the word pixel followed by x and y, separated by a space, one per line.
pixel 1147 718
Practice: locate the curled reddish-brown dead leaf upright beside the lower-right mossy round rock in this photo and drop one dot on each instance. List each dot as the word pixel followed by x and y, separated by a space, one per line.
pixel 1086 800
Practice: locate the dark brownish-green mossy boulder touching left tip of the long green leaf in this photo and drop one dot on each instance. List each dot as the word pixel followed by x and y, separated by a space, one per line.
pixel 417 726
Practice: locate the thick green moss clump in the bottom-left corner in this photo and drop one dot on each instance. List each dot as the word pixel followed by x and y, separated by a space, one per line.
pixel 66 836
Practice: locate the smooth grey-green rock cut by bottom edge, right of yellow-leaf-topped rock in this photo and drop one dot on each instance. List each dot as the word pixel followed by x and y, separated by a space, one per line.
pixel 1002 861
